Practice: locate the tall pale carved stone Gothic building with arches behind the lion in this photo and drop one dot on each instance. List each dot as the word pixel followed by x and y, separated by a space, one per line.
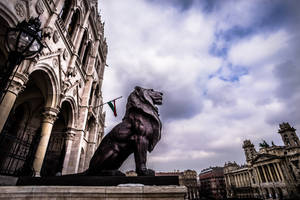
pixel 50 120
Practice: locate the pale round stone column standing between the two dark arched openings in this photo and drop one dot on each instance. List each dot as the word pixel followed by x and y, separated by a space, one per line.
pixel 49 117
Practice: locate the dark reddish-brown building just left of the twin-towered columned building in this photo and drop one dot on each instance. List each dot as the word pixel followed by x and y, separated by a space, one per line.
pixel 212 183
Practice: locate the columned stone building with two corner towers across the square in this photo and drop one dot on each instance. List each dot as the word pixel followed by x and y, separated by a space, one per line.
pixel 271 173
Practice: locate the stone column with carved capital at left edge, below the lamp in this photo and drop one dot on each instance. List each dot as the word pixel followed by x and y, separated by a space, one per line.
pixel 16 86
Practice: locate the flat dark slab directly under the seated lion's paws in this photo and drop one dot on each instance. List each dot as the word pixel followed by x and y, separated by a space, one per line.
pixel 98 180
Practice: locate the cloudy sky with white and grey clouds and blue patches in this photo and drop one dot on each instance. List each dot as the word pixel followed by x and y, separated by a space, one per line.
pixel 229 71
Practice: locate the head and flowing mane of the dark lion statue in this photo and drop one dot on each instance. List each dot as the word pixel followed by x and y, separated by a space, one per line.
pixel 144 100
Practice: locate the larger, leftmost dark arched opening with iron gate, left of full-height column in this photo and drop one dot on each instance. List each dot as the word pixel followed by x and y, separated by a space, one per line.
pixel 20 135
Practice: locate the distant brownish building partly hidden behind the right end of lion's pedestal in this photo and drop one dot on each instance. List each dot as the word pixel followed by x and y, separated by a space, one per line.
pixel 187 178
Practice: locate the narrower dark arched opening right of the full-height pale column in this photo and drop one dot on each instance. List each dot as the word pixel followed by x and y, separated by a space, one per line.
pixel 56 150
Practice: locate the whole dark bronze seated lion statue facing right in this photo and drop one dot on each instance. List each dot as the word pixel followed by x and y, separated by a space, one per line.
pixel 139 132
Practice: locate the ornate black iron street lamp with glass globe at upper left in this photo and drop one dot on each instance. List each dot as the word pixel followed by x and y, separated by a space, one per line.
pixel 23 41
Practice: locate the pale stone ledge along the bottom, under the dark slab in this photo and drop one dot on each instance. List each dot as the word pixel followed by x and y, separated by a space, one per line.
pixel 92 192
